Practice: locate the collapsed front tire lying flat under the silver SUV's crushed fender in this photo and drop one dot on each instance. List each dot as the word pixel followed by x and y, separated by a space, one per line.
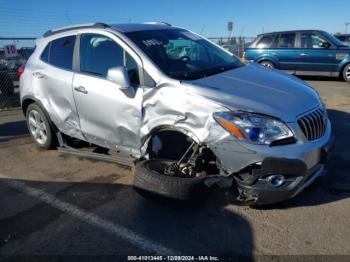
pixel 147 180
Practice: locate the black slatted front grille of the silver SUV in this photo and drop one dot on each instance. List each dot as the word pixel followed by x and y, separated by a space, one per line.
pixel 314 124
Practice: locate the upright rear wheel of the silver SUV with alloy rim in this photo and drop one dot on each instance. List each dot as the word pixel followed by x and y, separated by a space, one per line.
pixel 39 127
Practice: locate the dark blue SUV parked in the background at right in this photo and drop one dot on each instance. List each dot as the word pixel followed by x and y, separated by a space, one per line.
pixel 304 52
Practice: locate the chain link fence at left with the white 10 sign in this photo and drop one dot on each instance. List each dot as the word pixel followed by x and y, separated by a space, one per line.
pixel 14 52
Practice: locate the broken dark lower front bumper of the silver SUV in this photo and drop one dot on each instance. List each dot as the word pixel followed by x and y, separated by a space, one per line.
pixel 258 189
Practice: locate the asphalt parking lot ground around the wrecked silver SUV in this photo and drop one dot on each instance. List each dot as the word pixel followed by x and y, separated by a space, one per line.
pixel 54 204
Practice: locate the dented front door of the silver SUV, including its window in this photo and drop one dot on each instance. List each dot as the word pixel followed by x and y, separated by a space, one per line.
pixel 109 117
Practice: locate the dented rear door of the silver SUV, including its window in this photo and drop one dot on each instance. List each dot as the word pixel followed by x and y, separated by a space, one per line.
pixel 55 75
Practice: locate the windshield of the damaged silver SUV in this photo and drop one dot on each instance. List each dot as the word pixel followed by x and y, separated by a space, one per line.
pixel 182 55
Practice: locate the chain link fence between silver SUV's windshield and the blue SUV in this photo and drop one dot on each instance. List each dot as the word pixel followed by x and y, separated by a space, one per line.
pixel 235 45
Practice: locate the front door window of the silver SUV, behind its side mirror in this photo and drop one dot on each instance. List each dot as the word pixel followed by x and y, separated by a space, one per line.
pixel 99 53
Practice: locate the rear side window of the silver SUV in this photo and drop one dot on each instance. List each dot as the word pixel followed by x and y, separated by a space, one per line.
pixel 61 52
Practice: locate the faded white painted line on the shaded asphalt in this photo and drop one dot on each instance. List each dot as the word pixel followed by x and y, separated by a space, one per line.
pixel 92 219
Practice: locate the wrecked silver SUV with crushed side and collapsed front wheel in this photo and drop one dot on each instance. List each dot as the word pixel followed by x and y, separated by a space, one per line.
pixel 191 114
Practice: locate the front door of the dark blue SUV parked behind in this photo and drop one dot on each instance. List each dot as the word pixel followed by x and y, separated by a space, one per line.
pixel 314 59
